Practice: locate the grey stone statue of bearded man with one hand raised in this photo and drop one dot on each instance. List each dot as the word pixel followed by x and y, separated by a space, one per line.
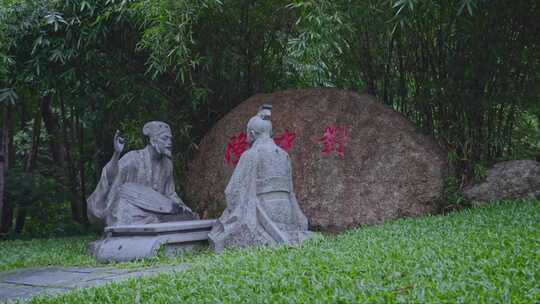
pixel 139 187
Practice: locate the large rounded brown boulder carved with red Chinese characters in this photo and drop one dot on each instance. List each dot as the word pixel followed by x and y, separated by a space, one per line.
pixel 388 169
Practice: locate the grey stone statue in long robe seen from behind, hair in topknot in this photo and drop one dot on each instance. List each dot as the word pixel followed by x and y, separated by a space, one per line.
pixel 261 204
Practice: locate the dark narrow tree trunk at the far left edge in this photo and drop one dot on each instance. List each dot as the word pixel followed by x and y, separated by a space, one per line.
pixel 6 217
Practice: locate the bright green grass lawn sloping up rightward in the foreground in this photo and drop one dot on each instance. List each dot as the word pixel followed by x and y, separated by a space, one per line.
pixel 485 255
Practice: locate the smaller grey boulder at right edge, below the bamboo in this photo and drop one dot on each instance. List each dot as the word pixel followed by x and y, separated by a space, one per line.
pixel 507 180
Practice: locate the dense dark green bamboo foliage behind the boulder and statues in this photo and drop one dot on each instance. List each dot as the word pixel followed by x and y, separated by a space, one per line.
pixel 73 71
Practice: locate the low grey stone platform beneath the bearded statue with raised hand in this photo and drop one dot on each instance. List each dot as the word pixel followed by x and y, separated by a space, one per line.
pixel 126 243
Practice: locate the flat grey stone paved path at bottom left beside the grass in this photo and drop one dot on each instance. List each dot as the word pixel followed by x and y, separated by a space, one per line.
pixel 26 283
